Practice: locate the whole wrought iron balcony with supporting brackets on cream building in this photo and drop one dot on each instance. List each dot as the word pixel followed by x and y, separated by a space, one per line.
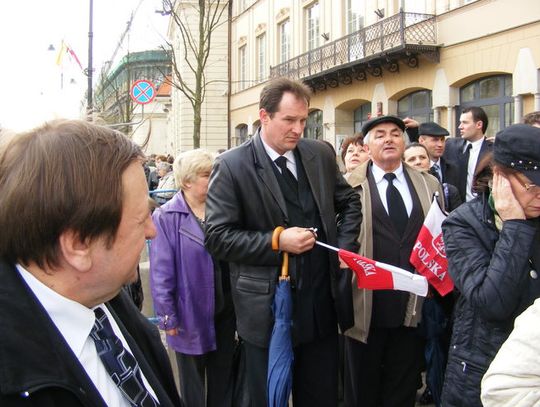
pixel 403 36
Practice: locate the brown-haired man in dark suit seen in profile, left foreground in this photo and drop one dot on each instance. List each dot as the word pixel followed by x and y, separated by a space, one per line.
pixel 70 336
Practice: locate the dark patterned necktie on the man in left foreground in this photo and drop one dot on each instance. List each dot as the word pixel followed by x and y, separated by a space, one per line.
pixel 119 363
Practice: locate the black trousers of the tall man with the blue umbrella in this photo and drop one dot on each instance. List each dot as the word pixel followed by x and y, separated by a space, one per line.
pixel 315 373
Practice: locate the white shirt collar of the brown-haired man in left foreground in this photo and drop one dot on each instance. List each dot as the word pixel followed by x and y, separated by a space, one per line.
pixel 73 320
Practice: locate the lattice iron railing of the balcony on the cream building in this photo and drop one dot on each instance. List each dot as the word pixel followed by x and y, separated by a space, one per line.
pixel 398 32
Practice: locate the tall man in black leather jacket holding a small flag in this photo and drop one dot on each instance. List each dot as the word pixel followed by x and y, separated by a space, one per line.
pixel 277 178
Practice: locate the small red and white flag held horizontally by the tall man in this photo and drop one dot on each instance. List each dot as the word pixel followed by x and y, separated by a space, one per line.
pixel 375 275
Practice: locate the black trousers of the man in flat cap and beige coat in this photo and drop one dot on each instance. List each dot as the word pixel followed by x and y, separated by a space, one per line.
pixel 384 372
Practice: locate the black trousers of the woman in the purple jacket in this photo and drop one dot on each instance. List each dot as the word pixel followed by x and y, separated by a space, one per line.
pixel 207 380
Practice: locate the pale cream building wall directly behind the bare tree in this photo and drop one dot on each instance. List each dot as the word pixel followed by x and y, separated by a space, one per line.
pixel 214 112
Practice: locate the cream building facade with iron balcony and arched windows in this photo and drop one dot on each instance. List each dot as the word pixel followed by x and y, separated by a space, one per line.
pixel 425 59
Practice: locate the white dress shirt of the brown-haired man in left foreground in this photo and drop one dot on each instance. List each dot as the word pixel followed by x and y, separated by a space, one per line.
pixel 75 321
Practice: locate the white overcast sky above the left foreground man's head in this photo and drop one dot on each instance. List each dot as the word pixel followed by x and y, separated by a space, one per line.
pixel 31 90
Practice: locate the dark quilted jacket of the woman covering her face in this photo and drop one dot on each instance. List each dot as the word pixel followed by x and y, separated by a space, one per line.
pixel 495 276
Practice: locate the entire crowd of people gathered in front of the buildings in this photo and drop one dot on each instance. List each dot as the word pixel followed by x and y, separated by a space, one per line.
pixel 70 245
